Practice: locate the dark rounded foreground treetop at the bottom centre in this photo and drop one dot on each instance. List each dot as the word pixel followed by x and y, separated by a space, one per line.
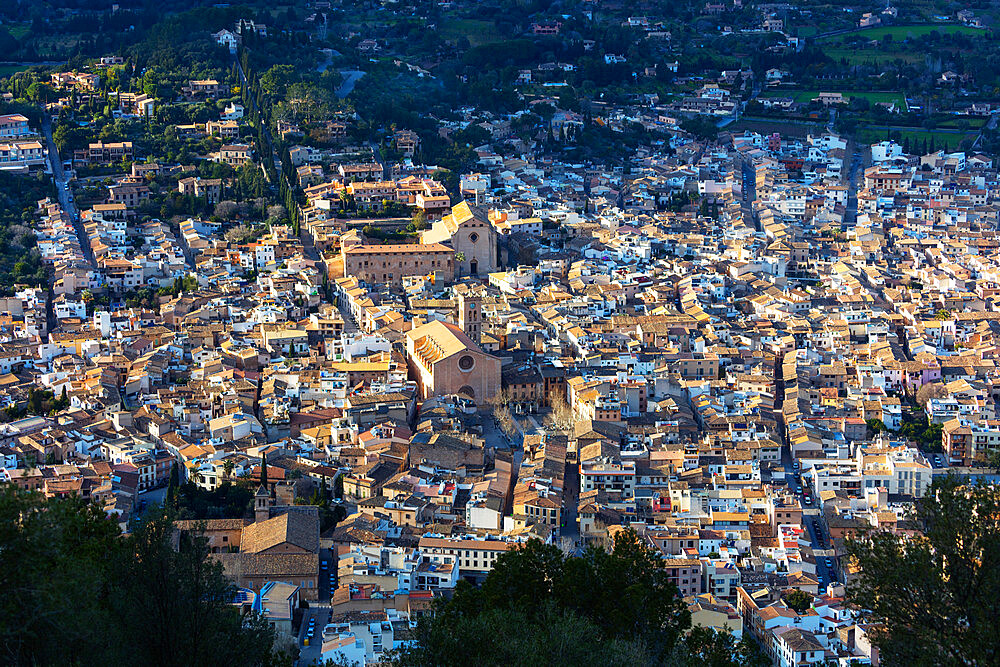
pixel 620 599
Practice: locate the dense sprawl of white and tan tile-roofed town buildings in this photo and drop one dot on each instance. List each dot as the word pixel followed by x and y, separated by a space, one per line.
pixel 718 348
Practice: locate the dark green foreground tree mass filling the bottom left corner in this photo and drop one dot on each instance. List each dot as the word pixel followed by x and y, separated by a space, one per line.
pixel 77 592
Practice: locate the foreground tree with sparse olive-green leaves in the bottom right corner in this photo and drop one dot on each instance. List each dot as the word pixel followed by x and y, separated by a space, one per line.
pixel 935 597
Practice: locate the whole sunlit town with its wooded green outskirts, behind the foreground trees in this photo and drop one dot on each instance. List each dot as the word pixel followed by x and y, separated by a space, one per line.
pixel 366 319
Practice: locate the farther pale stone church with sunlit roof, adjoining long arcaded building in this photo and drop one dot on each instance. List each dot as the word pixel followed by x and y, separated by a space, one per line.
pixel 469 232
